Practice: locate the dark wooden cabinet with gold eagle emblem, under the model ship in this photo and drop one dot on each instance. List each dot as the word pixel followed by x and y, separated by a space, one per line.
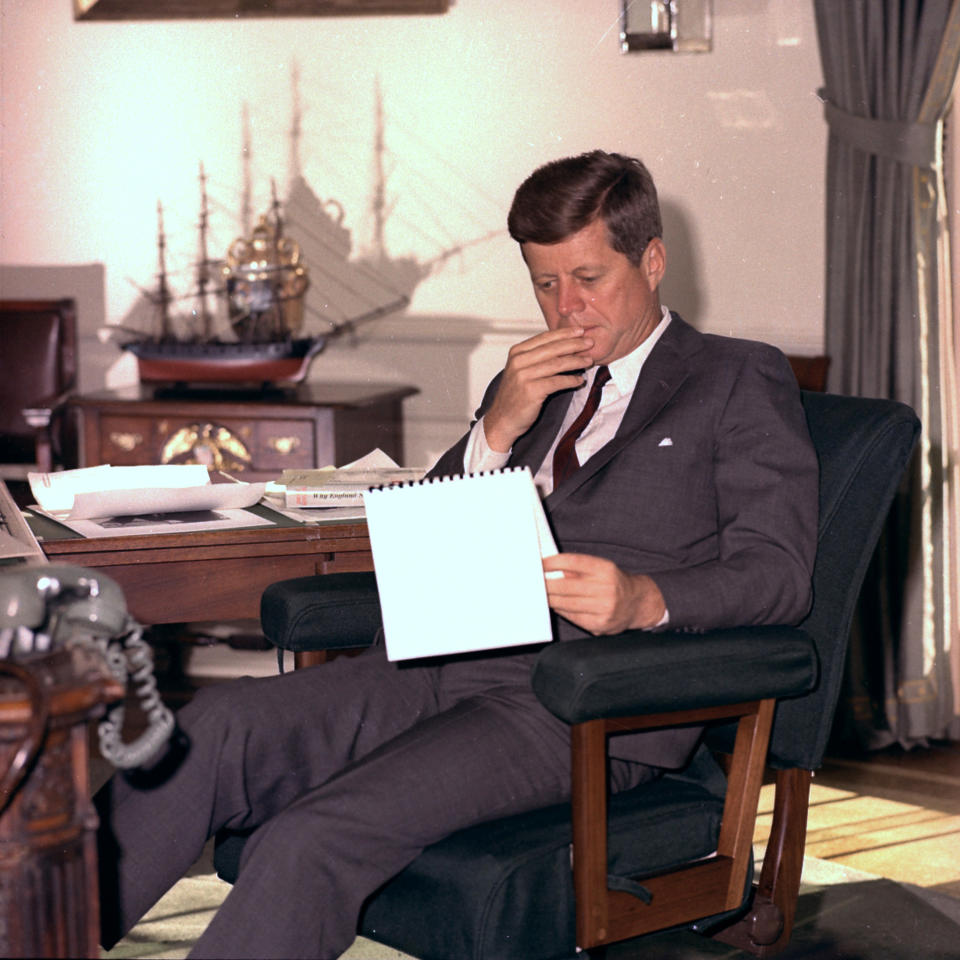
pixel 256 434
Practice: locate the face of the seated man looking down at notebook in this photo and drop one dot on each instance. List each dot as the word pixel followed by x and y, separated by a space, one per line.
pixel 582 281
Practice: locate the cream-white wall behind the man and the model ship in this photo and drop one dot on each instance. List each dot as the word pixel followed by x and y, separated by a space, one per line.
pixel 102 120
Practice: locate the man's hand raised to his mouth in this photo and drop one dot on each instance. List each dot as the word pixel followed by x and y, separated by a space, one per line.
pixel 535 368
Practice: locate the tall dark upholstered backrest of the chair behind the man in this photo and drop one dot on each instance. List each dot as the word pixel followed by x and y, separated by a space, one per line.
pixel 863 446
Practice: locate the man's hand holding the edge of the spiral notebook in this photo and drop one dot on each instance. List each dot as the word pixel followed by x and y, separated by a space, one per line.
pixel 598 596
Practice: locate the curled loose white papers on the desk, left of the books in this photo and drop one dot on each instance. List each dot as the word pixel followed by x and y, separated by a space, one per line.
pixel 107 491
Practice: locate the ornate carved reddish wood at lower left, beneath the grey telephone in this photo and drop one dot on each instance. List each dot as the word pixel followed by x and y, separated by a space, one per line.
pixel 49 906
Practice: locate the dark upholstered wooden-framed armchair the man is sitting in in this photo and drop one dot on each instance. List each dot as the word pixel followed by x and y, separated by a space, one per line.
pixel 678 851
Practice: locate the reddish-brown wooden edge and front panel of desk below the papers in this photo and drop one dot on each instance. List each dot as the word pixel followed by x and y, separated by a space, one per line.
pixel 220 575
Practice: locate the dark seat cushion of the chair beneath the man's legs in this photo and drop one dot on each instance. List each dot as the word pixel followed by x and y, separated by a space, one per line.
pixel 503 890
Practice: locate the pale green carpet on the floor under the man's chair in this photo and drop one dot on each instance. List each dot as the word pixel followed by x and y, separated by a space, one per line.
pixel 843 914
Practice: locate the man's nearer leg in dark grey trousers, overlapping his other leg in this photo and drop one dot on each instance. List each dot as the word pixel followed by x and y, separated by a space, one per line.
pixel 306 873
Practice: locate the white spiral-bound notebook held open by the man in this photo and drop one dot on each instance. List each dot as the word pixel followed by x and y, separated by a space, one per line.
pixel 458 563
